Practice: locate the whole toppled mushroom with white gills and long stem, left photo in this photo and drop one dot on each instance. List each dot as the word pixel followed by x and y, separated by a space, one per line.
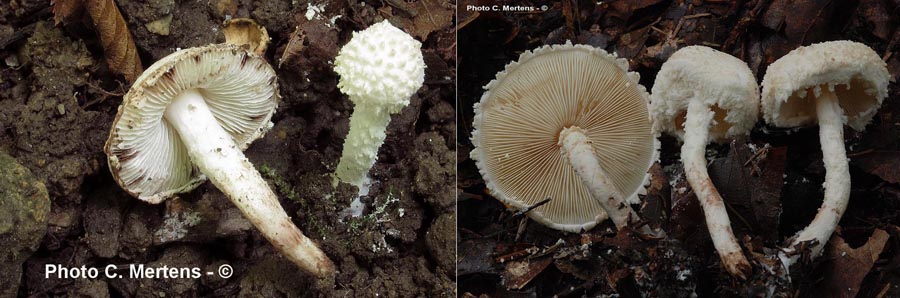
pixel 188 117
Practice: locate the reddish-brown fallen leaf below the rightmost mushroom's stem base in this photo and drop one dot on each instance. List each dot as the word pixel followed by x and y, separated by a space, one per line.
pixel 848 266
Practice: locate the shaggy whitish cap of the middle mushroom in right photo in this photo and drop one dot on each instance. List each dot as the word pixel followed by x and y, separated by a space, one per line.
pixel 723 82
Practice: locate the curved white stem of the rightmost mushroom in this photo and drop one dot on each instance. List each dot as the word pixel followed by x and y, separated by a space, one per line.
pixel 837 179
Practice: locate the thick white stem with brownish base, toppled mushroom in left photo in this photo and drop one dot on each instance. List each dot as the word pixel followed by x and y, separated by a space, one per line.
pixel 214 152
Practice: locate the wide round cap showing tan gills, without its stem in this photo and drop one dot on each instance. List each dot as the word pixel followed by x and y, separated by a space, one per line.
pixel 519 119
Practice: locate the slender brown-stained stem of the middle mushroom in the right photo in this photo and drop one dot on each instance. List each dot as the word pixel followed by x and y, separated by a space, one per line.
pixel 693 155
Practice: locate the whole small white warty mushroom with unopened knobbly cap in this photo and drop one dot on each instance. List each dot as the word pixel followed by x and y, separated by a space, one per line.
pixel 380 68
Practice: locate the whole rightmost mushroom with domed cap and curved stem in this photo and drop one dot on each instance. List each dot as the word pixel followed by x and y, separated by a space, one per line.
pixel 831 83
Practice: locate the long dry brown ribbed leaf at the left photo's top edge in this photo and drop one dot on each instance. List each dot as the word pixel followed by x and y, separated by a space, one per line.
pixel 118 46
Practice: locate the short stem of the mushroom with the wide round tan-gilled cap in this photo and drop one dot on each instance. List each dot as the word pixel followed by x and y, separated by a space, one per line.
pixel 580 153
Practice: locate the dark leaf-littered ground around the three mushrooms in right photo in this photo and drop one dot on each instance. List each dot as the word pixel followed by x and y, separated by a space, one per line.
pixel 770 196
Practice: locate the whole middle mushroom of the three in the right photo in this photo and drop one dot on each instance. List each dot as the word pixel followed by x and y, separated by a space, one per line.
pixel 703 95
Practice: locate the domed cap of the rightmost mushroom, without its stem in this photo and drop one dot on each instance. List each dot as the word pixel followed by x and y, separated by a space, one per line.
pixel 858 74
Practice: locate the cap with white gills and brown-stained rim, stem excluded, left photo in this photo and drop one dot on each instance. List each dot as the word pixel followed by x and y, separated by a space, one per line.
pixel 146 155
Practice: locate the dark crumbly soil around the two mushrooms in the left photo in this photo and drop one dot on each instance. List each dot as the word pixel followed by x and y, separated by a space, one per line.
pixel 58 99
